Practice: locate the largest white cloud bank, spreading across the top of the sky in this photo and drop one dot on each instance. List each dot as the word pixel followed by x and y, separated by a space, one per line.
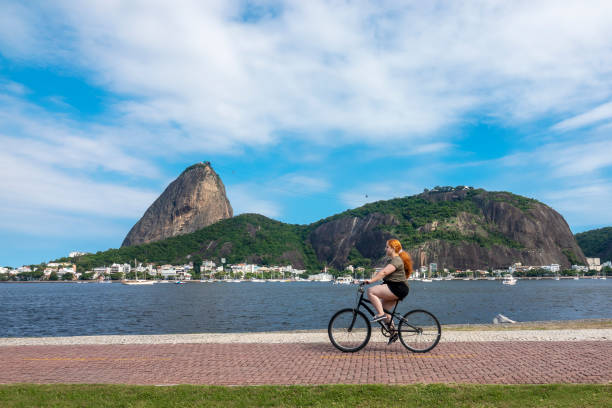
pixel 362 69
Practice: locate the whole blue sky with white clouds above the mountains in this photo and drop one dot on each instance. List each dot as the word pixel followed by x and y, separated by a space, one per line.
pixel 304 108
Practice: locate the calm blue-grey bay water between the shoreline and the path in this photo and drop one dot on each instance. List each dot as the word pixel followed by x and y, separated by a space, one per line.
pixel 44 309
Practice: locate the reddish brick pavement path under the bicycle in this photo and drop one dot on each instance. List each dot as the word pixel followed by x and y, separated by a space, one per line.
pixel 315 363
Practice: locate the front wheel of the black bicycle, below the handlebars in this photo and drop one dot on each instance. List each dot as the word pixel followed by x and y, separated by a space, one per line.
pixel 349 330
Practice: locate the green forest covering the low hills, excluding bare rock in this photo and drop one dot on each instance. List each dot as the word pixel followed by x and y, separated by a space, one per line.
pixel 255 238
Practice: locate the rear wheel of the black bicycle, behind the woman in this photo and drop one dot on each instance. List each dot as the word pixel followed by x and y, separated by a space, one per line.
pixel 419 331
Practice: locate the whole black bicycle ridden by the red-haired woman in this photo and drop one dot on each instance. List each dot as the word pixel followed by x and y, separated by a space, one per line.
pixel 349 329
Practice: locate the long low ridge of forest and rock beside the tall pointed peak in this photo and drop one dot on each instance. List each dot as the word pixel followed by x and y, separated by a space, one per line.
pixel 457 227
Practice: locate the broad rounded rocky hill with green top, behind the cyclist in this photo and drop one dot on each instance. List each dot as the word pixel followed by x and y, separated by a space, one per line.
pixel 457 227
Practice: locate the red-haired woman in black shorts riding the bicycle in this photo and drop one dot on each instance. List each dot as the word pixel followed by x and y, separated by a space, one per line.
pixel 395 286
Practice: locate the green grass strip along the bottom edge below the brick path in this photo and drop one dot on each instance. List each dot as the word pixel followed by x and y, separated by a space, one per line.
pixel 434 395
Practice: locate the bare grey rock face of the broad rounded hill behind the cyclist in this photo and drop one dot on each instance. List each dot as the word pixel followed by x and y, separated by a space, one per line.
pixel 532 234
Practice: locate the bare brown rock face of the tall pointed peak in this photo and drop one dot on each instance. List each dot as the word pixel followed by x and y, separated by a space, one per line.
pixel 193 201
